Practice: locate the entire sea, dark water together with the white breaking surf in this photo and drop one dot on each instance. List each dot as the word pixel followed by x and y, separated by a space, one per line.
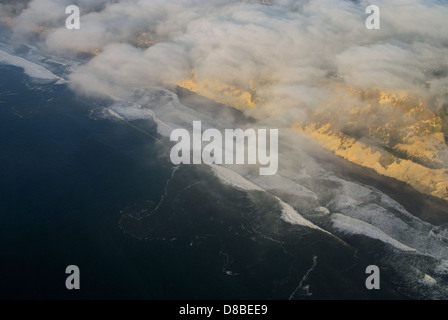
pixel 81 186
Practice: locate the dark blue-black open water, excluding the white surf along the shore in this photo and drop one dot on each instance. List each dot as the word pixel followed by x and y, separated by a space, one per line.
pixel 99 195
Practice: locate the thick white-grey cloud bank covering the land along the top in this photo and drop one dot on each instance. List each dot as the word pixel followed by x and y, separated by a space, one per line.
pixel 295 54
